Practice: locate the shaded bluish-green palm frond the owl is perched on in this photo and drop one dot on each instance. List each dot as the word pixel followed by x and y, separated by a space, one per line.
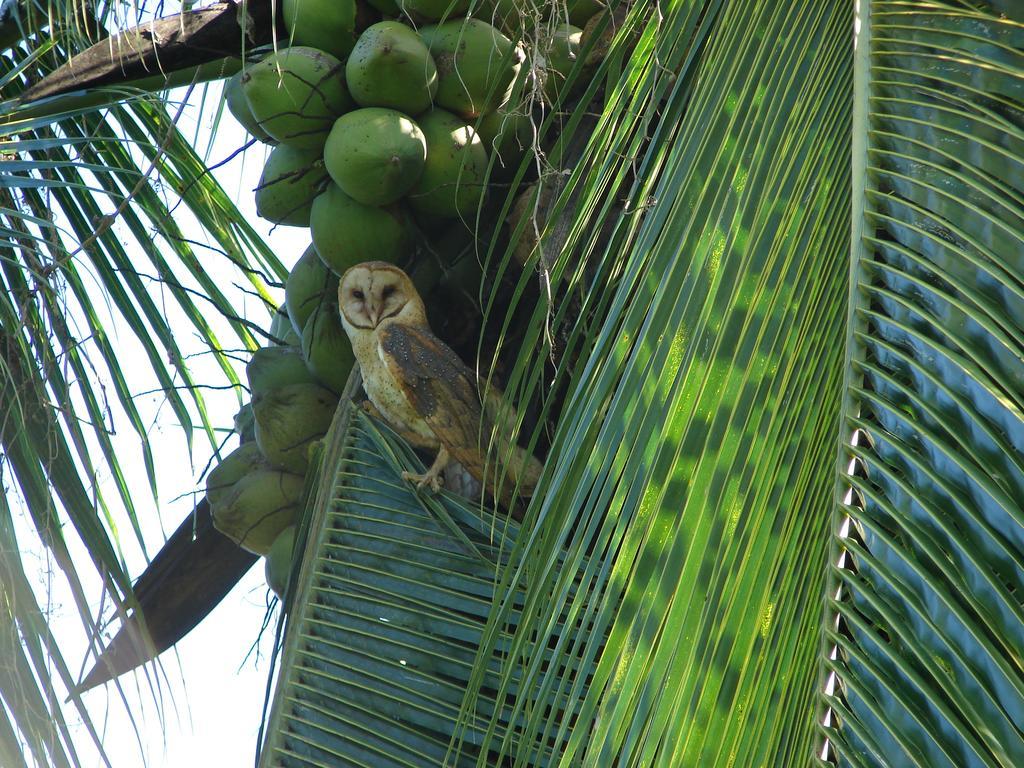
pixel 395 593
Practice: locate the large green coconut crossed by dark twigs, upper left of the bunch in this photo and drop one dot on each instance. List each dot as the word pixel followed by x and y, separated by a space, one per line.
pixel 296 95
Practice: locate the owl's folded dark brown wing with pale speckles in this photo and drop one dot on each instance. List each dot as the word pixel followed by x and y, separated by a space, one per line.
pixel 442 390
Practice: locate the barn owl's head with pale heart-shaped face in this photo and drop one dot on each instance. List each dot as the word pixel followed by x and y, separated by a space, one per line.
pixel 373 292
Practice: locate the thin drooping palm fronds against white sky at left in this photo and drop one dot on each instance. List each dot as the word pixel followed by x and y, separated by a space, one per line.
pixel 103 217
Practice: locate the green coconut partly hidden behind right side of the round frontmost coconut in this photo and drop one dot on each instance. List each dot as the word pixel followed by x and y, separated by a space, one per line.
pixel 454 178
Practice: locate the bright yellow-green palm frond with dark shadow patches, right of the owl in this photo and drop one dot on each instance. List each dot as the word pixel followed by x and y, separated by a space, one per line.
pixel 690 479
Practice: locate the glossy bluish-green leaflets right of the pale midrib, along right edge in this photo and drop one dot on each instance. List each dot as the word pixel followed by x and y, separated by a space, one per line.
pixel 929 645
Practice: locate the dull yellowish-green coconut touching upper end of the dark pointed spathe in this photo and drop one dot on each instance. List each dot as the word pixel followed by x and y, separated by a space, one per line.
pixel 259 507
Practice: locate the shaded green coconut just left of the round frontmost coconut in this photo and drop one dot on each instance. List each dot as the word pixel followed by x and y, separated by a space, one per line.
pixel 291 180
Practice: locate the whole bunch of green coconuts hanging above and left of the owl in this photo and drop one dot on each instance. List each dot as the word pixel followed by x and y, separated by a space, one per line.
pixel 387 117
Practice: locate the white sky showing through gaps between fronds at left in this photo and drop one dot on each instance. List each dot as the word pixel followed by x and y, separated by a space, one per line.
pixel 211 695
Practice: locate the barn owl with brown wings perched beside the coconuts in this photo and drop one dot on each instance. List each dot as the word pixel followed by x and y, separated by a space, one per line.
pixel 419 386
